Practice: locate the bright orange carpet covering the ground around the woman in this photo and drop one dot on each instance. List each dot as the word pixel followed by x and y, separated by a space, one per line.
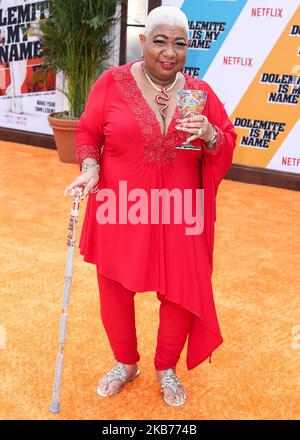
pixel 254 374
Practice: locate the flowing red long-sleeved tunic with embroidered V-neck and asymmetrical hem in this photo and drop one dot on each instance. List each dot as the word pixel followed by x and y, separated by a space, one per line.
pixel 154 257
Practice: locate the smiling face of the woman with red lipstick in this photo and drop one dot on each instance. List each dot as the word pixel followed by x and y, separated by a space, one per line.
pixel 164 51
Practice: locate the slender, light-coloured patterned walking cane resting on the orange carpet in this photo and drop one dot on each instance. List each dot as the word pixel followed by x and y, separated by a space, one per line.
pixel 72 230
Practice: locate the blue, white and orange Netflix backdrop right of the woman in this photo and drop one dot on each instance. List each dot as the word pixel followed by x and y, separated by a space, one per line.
pixel 249 53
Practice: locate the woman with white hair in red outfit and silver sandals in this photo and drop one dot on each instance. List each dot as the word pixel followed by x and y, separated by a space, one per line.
pixel 132 131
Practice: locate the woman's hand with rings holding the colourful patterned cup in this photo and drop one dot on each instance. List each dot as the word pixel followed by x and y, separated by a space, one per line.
pixel 198 126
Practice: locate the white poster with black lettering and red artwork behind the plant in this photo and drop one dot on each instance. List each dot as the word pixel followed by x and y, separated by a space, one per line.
pixel 27 86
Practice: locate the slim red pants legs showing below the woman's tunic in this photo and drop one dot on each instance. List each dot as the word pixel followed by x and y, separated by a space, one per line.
pixel 118 317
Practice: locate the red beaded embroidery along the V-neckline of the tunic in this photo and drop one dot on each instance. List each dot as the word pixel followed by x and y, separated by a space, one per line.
pixel 158 148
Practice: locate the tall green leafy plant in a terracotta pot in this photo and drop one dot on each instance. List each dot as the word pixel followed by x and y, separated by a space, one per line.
pixel 75 40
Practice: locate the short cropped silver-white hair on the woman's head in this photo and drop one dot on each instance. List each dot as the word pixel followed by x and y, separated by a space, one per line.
pixel 166 15
